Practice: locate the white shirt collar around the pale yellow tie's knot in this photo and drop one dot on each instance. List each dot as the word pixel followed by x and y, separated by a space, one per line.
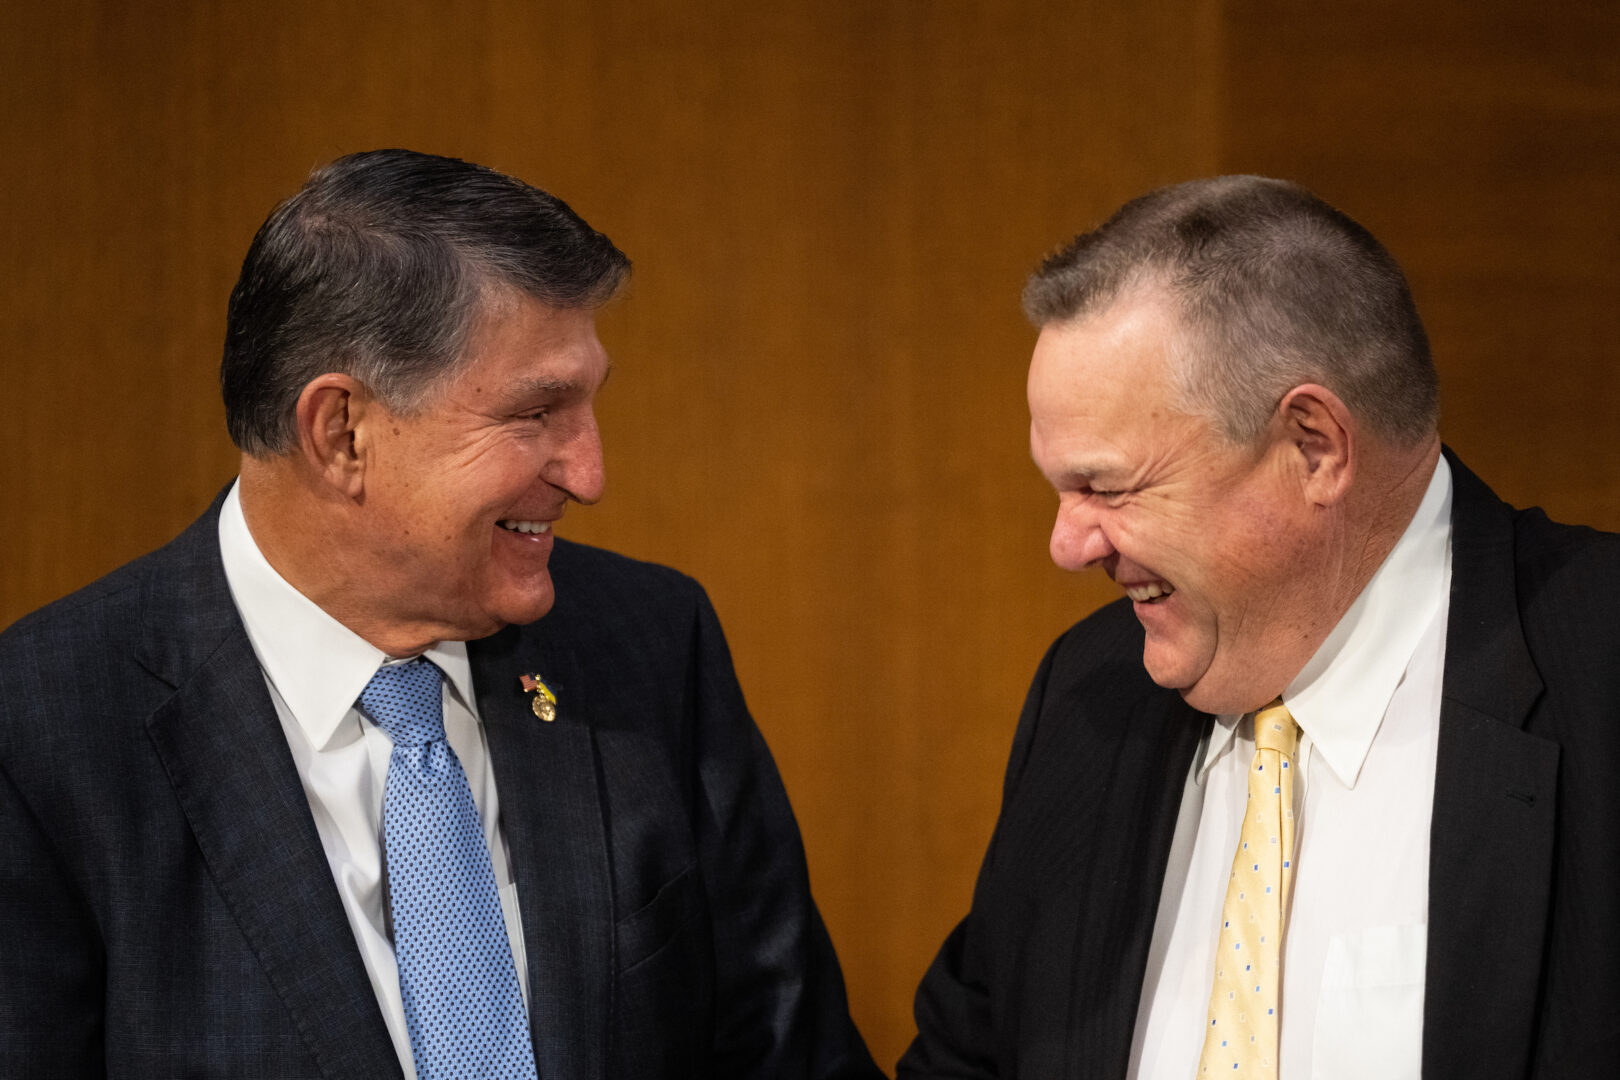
pixel 1341 695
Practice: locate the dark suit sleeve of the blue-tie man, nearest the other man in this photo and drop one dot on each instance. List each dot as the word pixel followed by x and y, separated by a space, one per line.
pixel 782 1013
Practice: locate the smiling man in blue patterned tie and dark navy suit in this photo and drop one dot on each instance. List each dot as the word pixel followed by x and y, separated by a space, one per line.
pixel 370 776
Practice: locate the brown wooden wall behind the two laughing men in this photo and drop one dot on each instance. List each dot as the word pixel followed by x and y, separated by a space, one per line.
pixel 832 205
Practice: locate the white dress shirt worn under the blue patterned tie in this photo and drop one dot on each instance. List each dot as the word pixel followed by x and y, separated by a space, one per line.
pixel 315 670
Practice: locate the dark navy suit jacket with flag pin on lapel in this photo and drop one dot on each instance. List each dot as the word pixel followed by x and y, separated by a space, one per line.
pixel 168 911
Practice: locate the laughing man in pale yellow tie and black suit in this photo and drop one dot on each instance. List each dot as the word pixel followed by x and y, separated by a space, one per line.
pixel 1331 794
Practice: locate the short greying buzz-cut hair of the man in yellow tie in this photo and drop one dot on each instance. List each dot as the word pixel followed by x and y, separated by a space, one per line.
pixel 1271 287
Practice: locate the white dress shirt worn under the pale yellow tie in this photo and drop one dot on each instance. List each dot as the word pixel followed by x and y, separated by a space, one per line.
pixel 1354 951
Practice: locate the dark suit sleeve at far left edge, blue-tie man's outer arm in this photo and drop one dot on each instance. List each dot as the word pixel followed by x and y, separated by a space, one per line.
pixel 51 959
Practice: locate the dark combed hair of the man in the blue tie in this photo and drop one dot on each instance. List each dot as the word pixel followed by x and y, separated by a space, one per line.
pixel 380 268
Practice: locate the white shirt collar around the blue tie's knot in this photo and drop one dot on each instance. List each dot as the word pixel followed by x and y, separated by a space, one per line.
pixel 317 665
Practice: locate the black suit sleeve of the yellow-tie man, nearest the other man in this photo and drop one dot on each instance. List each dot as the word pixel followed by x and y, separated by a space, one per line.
pixel 958 1035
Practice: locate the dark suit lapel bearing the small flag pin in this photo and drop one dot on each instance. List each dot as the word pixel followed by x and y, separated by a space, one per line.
pixel 553 817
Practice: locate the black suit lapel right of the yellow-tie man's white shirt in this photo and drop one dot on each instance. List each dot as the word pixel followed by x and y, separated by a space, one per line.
pixel 1494 797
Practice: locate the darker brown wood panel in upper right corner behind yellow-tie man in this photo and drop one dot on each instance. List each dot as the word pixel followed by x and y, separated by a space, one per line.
pixel 1481 143
